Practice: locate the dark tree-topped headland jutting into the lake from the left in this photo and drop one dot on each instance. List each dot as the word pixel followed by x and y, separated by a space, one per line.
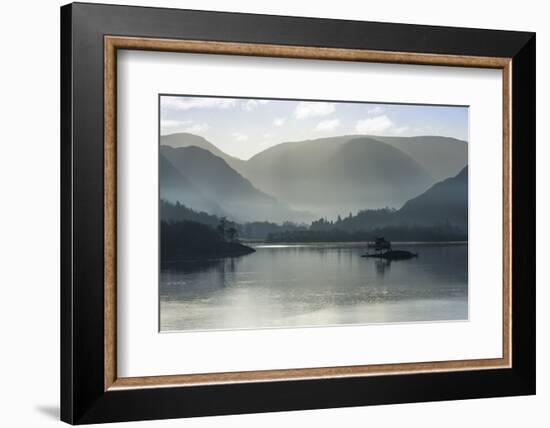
pixel 184 240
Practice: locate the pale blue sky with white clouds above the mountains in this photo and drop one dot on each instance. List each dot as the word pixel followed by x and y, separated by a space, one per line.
pixel 243 127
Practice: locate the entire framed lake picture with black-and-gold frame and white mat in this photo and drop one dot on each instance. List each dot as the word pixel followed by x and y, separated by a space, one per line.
pixel 267 213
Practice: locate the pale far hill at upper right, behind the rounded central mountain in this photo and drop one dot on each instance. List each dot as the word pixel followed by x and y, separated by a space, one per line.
pixel 441 157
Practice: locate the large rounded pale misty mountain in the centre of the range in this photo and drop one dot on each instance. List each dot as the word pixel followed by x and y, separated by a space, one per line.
pixel 330 174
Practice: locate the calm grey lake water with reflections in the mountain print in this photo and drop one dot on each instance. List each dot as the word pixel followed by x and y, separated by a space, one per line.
pixel 315 284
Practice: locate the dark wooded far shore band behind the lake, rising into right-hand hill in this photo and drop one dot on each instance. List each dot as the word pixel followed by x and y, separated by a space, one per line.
pixel 438 214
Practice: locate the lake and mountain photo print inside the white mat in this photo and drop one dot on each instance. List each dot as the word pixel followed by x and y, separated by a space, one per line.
pixel 279 213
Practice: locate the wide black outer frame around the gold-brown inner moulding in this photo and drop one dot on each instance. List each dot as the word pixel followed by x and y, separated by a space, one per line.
pixel 83 398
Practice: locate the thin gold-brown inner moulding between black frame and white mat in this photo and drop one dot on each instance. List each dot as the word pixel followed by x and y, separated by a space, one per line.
pixel 113 43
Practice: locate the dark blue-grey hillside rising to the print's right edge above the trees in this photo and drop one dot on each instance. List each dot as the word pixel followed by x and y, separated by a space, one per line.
pixel 444 202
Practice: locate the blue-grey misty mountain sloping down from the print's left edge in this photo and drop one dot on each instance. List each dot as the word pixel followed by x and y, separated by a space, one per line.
pixel 209 177
